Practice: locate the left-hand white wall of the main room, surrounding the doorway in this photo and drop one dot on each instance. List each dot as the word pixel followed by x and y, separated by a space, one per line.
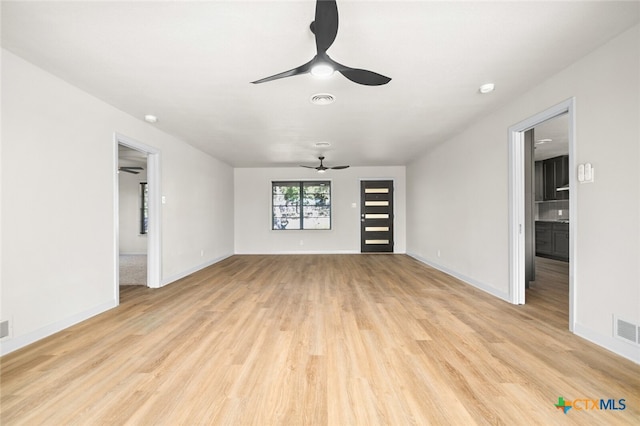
pixel 58 201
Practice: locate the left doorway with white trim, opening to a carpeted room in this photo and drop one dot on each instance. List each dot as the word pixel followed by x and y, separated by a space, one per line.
pixel 137 214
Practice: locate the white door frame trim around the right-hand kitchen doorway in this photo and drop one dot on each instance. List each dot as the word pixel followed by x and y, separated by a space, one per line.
pixel 516 204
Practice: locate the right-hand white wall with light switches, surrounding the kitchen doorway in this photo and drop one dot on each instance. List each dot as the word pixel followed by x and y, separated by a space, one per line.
pixel 458 192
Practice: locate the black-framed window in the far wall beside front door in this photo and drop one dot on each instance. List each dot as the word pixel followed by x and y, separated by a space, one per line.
pixel 301 205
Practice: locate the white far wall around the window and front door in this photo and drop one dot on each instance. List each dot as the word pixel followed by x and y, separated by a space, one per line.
pixel 253 232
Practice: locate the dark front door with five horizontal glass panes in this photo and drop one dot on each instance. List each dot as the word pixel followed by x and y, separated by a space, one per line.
pixel 376 216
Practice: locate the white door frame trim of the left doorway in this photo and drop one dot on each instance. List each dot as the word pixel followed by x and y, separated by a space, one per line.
pixel 154 236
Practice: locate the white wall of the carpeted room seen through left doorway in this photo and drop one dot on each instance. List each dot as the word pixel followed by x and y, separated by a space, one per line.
pixel 131 241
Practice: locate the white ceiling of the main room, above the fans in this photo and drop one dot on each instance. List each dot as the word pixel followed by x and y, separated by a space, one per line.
pixel 190 63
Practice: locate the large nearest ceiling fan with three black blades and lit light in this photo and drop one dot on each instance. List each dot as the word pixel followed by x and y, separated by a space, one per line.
pixel 325 28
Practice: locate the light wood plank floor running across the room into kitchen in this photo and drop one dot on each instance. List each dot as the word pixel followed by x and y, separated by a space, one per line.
pixel 320 340
